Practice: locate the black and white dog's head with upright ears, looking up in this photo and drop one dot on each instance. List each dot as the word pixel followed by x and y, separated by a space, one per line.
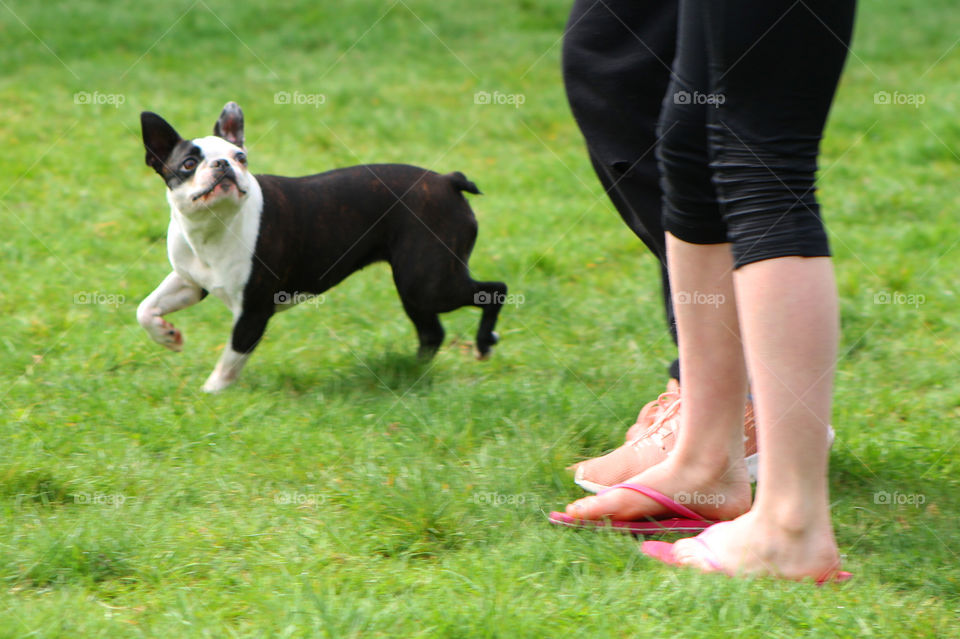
pixel 204 173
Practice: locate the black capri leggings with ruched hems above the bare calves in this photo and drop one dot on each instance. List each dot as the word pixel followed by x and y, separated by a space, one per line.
pixel 742 120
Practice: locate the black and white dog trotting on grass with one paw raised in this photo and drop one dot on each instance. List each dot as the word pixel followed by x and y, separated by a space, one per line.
pixel 262 243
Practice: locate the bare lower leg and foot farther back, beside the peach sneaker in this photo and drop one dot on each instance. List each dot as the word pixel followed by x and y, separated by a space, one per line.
pixel 706 466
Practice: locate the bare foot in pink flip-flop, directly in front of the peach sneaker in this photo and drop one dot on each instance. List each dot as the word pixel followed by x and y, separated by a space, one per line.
pixel 712 493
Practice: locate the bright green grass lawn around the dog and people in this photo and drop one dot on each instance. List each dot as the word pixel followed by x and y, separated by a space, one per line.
pixel 342 489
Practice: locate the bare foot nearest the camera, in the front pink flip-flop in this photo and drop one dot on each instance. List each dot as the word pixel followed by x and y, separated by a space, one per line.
pixel 751 546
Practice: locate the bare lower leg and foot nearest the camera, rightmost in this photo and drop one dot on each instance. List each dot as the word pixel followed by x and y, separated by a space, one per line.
pixel 790 329
